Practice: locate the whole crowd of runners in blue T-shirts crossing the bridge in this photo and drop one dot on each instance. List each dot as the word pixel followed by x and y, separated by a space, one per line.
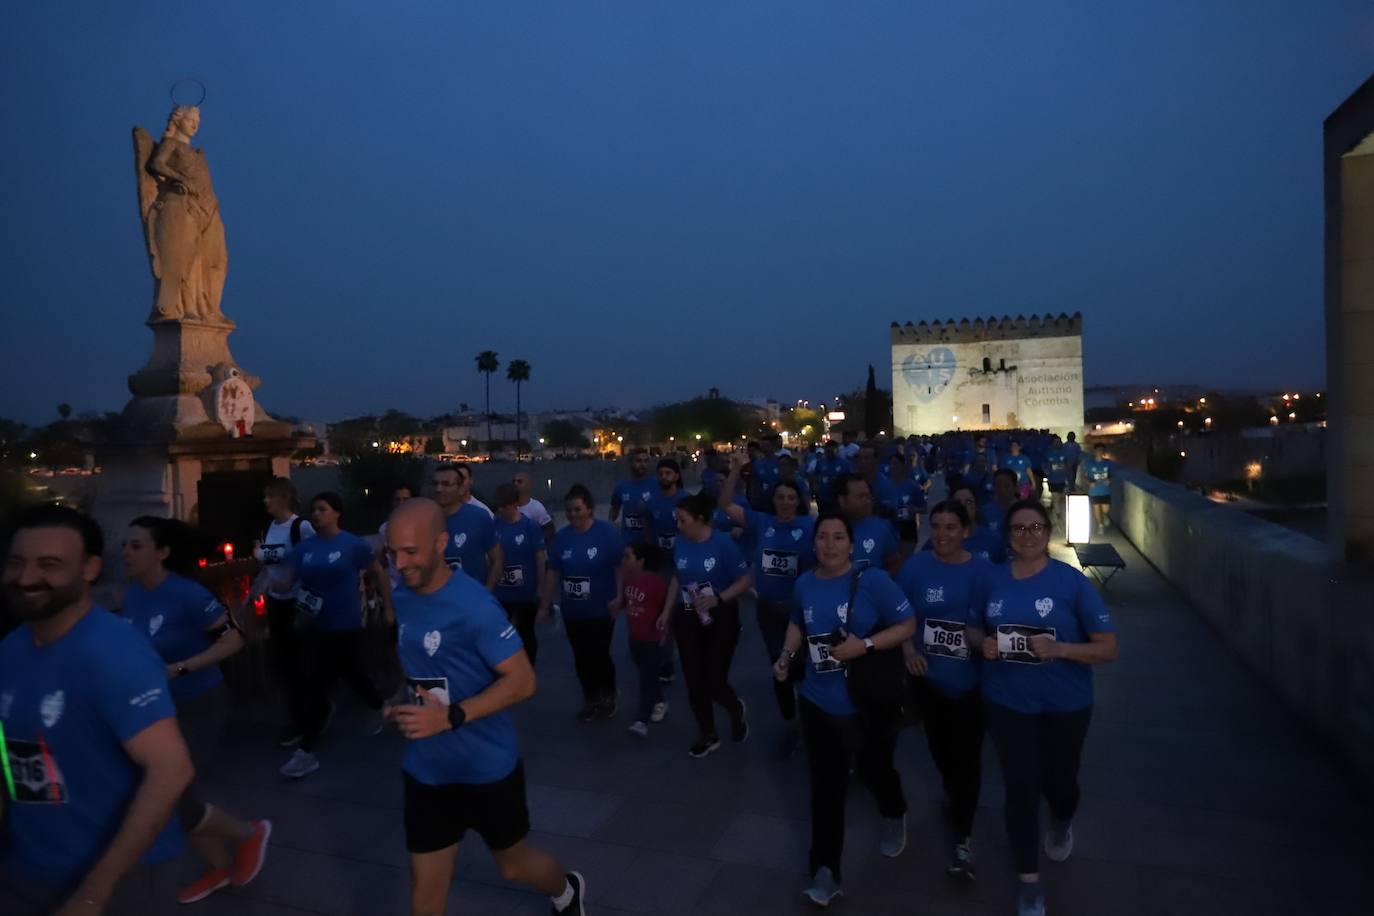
pixel 876 609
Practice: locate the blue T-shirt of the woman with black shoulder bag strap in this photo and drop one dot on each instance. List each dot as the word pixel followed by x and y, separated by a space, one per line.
pixel 821 609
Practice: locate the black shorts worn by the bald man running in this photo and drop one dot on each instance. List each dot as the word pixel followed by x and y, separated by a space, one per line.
pixel 440 816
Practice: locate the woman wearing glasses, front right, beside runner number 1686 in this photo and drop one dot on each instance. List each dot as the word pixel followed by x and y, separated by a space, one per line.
pixel 1046 628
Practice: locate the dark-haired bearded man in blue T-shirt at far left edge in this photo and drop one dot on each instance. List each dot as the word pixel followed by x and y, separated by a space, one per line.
pixel 90 731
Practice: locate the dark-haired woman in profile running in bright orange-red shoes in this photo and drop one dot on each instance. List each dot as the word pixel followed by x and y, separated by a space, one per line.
pixel 193 632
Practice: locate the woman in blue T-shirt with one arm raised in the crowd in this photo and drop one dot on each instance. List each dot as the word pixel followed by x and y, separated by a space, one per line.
pixel 784 550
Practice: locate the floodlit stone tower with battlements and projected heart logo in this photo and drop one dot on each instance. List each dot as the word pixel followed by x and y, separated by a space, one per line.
pixel 990 374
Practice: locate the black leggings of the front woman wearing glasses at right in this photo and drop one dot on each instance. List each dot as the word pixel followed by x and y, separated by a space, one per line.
pixel 1039 755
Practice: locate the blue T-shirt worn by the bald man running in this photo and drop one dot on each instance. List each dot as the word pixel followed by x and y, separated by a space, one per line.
pixel 450 643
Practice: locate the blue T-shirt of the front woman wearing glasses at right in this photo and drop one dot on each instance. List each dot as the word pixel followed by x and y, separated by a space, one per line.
pixel 1057 602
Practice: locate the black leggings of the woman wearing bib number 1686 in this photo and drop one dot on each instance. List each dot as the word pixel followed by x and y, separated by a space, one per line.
pixel 954 734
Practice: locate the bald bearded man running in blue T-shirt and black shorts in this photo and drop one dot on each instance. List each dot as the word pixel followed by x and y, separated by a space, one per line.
pixel 465 668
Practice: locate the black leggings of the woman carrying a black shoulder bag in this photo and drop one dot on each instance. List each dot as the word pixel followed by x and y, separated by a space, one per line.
pixel 832 744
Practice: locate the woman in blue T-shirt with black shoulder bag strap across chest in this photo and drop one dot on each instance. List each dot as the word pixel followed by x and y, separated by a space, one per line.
pixel 842 613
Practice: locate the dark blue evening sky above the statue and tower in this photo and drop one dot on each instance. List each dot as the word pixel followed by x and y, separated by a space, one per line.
pixel 645 200
